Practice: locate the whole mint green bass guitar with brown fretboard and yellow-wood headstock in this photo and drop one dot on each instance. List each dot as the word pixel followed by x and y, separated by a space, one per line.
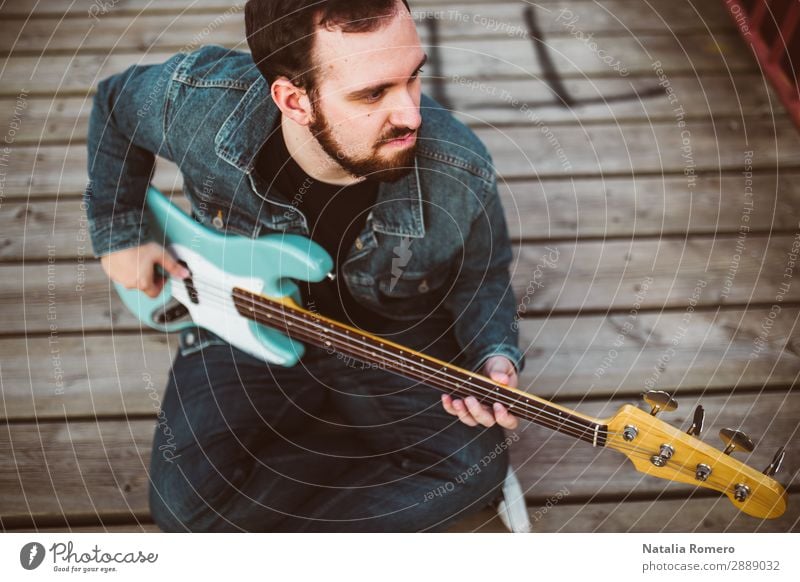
pixel 244 291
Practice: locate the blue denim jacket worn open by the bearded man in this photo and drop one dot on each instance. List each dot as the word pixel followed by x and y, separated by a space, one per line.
pixel 436 241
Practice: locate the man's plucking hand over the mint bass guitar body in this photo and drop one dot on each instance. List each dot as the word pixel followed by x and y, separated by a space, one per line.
pixel 135 268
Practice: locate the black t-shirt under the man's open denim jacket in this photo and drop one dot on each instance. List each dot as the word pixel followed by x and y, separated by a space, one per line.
pixel 335 214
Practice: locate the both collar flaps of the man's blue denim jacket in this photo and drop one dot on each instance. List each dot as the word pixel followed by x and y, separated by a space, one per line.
pixel 398 208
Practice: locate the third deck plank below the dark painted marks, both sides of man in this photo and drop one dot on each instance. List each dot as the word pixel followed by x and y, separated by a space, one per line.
pixel 585 276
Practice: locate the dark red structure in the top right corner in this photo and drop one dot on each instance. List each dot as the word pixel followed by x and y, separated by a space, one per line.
pixel 771 28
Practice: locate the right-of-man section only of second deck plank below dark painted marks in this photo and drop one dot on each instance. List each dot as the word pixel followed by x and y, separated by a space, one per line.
pixel 649 205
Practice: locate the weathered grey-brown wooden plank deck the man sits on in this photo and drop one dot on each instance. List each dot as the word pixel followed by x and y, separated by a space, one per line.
pixel 637 197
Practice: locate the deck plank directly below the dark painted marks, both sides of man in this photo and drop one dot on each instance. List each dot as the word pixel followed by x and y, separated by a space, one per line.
pixel 518 153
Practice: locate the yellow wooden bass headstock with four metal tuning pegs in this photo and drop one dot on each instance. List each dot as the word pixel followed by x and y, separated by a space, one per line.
pixel 661 450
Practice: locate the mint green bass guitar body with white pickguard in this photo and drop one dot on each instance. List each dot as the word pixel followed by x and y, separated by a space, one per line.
pixel 218 262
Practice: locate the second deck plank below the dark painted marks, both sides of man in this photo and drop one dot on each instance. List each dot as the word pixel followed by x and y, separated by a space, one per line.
pixel 535 210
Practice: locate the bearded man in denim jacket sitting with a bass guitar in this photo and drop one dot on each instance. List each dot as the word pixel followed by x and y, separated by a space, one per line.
pixel 323 131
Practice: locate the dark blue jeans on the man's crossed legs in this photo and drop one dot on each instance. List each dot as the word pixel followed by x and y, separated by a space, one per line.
pixel 241 445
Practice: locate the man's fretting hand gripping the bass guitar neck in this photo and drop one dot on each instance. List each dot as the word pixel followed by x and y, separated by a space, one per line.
pixel 471 412
